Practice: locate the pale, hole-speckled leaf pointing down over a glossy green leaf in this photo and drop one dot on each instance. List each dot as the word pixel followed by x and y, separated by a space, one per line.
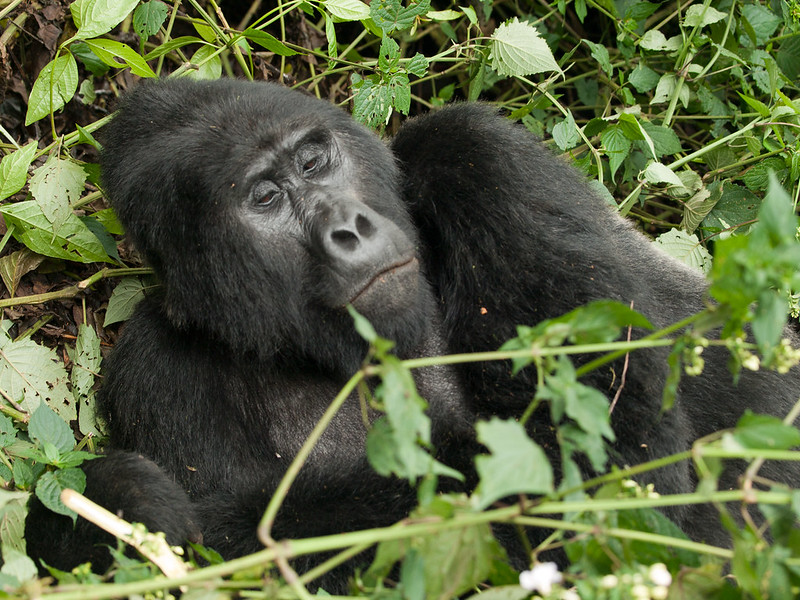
pixel 55 186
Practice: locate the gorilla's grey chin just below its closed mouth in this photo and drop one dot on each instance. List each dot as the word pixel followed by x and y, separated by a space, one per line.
pixel 392 291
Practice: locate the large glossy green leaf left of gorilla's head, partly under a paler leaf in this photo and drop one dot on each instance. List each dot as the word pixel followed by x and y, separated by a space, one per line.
pixel 73 241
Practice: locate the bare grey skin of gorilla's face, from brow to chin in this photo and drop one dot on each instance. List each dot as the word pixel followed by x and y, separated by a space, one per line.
pixel 304 195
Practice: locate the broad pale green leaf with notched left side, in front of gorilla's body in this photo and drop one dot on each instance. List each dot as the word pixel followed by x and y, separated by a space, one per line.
pixel 517 465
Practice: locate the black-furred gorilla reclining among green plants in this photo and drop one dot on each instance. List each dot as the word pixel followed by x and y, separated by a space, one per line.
pixel 264 213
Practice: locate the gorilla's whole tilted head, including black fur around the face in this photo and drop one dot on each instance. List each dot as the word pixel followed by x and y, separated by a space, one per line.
pixel 264 213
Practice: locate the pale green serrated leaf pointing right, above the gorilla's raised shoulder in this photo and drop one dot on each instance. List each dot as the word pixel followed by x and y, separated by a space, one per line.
pixel 517 50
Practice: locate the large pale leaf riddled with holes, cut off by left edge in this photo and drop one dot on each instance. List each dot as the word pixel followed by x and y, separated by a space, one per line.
pixel 31 374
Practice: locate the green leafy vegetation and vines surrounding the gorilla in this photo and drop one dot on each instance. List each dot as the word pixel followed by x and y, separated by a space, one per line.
pixel 686 117
